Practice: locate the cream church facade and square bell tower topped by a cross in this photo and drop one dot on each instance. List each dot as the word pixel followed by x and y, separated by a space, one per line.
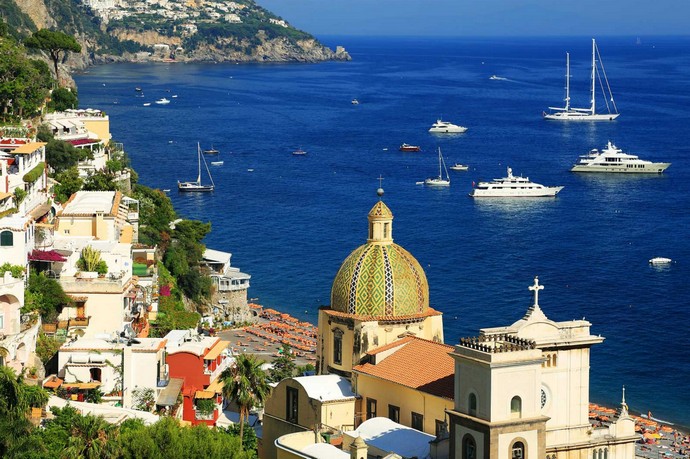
pixel 522 391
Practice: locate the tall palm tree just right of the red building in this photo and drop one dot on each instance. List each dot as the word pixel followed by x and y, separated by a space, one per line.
pixel 245 384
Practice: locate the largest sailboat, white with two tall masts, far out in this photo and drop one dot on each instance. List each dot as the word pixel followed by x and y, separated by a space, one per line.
pixel 568 113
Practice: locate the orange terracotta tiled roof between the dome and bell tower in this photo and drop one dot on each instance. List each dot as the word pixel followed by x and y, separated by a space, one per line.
pixel 416 363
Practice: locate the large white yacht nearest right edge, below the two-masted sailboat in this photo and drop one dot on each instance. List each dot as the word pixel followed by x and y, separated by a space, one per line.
pixel 613 159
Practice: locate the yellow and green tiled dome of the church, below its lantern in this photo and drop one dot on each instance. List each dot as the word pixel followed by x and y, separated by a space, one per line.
pixel 381 281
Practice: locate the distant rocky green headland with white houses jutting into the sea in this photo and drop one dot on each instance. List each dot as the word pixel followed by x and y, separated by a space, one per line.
pixel 174 30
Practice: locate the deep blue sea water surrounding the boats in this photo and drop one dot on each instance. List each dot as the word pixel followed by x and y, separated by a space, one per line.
pixel 292 220
